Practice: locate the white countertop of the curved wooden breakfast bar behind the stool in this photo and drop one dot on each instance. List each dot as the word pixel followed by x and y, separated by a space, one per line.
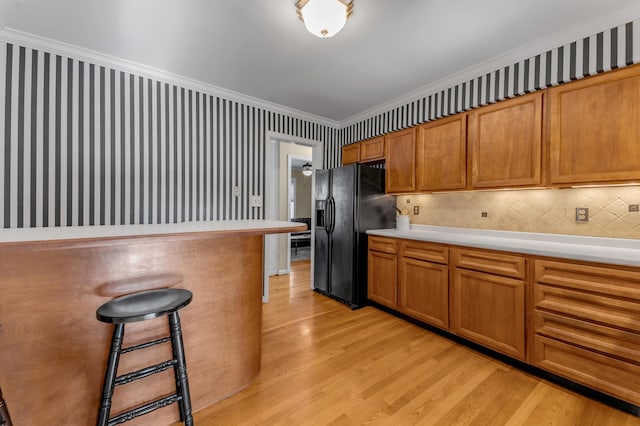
pixel 111 231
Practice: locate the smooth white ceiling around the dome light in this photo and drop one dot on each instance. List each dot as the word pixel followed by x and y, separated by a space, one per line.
pixel 260 48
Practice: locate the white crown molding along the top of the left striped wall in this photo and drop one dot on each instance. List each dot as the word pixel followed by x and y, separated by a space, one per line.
pixel 57 47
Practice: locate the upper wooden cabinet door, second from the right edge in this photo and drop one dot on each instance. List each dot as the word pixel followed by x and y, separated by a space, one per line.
pixel 505 141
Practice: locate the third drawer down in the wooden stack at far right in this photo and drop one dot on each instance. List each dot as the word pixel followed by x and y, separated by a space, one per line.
pixel 610 341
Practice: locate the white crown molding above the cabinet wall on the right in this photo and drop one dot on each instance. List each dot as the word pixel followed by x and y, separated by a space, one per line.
pixel 528 50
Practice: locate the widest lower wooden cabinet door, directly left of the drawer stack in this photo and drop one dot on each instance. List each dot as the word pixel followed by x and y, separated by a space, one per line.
pixel 489 309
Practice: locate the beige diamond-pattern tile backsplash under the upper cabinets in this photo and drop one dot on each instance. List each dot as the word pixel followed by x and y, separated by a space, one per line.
pixel 533 210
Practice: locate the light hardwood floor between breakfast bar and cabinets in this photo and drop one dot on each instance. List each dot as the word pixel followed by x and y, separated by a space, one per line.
pixel 324 364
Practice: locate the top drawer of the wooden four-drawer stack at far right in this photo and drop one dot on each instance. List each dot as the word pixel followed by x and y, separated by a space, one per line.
pixel 593 279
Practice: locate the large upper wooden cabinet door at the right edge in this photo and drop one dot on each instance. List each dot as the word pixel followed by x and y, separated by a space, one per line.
pixel 595 129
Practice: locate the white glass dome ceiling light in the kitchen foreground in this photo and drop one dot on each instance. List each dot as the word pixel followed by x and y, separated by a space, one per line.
pixel 324 18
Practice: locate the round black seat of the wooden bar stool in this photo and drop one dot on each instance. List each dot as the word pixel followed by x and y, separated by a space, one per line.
pixel 144 305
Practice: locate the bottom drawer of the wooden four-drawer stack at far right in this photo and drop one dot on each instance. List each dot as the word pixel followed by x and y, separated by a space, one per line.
pixel 606 374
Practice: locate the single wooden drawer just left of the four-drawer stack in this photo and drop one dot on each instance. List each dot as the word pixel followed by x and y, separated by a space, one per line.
pixel 494 263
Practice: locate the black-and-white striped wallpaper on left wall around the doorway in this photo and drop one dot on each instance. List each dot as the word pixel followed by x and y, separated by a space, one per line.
pixel 85 144
